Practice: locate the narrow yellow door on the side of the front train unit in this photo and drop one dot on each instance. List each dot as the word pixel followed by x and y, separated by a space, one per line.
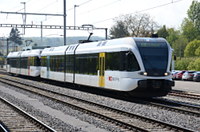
pixel 101 69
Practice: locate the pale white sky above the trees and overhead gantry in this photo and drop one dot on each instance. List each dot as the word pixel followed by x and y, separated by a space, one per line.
pixel 99 13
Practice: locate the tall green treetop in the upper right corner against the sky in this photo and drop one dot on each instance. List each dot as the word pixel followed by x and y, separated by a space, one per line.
pixel 194 13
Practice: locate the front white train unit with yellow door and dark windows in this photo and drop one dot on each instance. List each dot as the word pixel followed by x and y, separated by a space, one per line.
pixel 136 65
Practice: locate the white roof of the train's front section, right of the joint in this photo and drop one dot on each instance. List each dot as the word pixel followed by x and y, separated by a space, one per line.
pixel 120 44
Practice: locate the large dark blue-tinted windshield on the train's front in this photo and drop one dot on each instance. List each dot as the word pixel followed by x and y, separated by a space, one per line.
pixel 154 56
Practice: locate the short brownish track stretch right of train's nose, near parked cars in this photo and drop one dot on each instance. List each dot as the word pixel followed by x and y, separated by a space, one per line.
pixel 185 94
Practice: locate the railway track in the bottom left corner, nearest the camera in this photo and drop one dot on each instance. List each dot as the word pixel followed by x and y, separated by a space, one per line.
pixel 15 119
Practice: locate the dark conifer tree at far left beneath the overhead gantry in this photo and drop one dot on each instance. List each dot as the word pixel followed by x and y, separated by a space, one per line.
pixel 15 36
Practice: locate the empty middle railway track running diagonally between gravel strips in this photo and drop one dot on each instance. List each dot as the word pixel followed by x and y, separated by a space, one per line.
pixel 125 120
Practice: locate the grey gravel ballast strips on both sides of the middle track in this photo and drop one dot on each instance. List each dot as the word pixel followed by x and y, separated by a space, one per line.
pixel 178 119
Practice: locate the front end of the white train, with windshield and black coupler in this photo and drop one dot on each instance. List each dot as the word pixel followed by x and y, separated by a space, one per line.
pixel 155 74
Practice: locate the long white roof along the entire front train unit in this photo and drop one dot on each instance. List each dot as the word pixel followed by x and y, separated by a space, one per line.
pixel 114 45
